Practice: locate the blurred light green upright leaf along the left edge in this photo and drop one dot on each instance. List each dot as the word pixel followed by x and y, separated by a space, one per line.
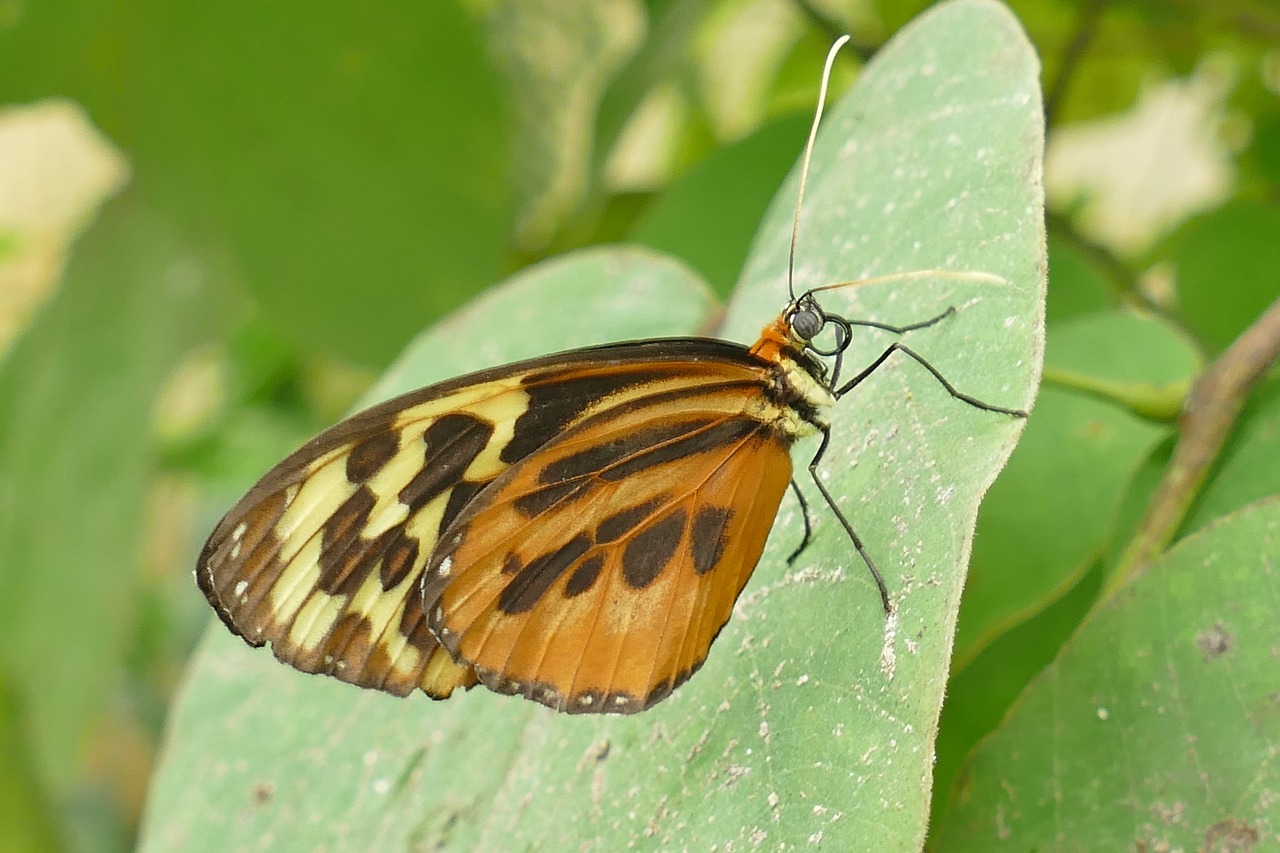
pixel 76 457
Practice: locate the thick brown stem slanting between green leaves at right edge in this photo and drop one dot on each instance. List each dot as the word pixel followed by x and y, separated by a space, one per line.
pixel 1212 409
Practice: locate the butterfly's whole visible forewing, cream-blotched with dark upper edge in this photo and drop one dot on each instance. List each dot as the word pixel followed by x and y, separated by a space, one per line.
pixel 323 558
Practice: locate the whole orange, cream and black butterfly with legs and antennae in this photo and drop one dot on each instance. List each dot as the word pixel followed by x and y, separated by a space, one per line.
pixel 573 530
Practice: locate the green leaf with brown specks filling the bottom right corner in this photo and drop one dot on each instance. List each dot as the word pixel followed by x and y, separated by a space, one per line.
pixel 1172 687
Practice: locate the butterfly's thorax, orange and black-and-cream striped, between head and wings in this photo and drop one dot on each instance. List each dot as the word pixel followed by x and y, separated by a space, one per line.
pixel 799 393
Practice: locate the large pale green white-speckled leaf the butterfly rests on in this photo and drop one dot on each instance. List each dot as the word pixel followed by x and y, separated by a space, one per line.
pixel 810 720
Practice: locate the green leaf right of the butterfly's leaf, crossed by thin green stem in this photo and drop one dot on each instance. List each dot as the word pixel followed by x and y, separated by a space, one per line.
pixel 1089 449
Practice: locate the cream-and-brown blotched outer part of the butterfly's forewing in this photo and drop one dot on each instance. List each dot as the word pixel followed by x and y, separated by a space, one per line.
pixel 322 556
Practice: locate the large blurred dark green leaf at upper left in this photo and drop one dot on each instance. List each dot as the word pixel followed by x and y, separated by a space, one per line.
pixel 351 167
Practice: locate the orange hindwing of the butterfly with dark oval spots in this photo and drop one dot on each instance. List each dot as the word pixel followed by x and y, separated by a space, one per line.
pixel 596 576
